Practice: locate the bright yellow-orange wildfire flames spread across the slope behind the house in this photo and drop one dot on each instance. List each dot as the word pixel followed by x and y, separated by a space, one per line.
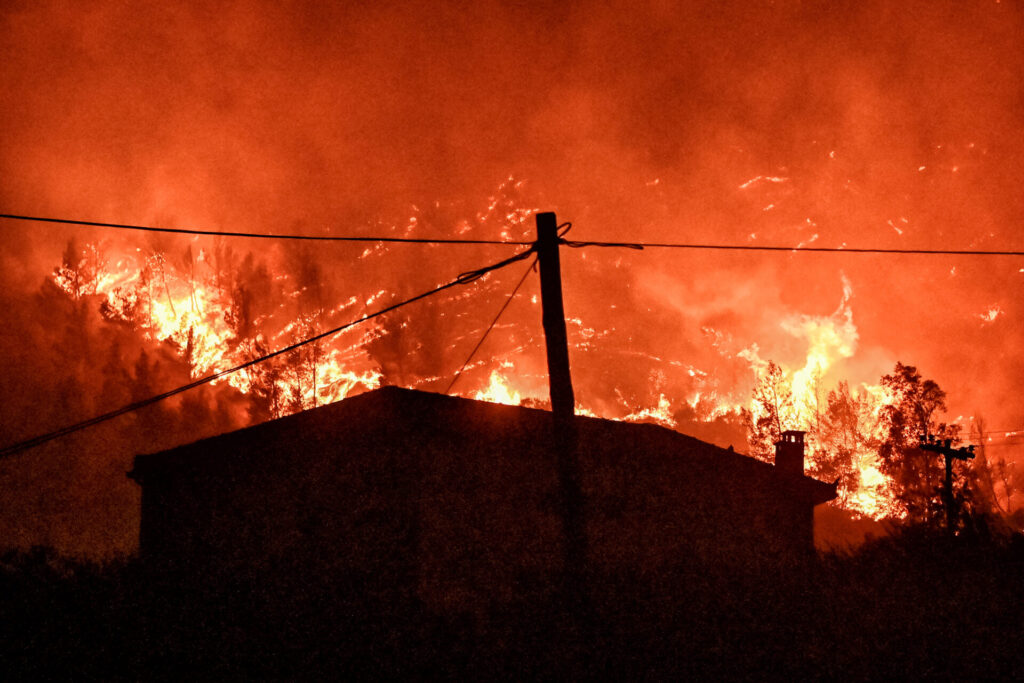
pixel 190 307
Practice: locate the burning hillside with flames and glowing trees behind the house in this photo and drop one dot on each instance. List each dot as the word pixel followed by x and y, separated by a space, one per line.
pixel 218 313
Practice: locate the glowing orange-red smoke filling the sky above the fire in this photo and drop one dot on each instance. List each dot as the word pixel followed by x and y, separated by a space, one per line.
pixel 885 124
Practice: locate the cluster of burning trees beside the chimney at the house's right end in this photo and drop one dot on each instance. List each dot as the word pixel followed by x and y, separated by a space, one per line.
pixel 869 442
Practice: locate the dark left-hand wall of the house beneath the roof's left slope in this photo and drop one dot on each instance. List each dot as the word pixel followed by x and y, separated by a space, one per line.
pixel 309 510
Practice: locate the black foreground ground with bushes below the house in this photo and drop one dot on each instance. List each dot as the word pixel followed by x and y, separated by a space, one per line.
pixel 914 607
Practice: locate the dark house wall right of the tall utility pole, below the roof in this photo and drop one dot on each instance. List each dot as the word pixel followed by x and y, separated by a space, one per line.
pixel 663 509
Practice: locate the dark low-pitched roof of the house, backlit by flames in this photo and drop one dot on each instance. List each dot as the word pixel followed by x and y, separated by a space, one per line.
pixel 423 416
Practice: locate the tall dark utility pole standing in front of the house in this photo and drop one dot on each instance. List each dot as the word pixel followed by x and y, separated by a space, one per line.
pixel 563 412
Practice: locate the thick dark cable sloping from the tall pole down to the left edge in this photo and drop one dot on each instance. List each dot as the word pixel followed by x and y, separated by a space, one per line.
pixel 463 279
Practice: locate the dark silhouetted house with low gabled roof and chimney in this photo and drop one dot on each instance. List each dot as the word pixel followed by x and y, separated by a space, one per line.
pixel 459 499
